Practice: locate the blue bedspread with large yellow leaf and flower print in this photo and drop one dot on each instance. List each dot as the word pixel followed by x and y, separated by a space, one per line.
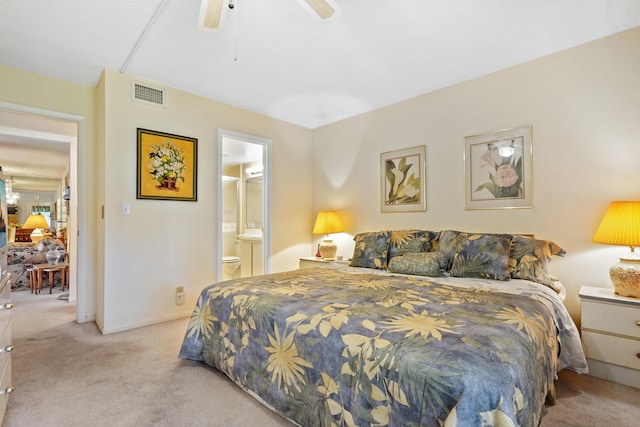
pixel 337 347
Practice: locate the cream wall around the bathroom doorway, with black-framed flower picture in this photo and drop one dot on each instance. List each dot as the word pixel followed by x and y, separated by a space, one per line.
pixel 165 244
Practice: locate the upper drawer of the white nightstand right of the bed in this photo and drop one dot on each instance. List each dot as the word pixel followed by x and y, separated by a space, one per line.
pixel 612 318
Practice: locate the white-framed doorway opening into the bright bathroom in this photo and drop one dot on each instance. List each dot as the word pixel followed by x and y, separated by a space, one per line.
pixel 243 205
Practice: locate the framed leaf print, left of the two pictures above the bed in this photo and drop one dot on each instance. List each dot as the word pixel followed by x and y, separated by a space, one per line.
pixel 403 180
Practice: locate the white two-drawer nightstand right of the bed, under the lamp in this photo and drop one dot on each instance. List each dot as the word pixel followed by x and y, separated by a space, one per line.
pixel 611 335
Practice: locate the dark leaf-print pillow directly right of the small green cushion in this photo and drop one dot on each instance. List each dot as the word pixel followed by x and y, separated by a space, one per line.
pixel 483 256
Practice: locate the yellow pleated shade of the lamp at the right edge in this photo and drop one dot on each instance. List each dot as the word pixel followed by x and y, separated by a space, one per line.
pixel 620 225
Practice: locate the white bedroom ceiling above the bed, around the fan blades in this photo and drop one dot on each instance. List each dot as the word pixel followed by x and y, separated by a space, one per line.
pixel 275 58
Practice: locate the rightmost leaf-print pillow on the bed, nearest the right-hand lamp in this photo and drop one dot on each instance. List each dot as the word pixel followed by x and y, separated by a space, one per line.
pixel 530 258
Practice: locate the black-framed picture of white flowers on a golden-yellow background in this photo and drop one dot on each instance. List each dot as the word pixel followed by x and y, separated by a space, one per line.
pixel 167 166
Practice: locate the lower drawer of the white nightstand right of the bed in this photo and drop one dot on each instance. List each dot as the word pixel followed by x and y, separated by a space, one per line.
pixel 612 349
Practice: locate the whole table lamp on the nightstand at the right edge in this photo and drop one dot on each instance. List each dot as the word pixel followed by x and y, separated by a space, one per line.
pixel 621 226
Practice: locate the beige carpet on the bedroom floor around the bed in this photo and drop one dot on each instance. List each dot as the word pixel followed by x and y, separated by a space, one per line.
pixel 67 374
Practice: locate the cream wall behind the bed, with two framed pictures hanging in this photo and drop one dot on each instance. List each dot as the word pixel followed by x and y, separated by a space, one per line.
pixel 583 105
